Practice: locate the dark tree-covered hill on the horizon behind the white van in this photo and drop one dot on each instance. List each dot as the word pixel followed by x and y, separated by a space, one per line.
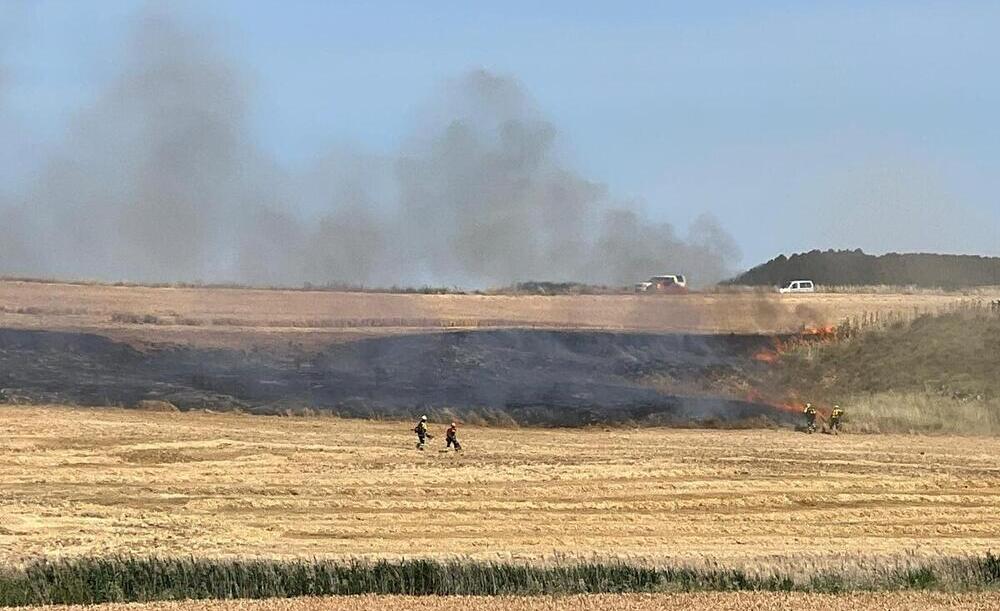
pixel 856 268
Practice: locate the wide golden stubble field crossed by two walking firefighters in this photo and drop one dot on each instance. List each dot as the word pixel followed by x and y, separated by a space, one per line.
pixel 85 481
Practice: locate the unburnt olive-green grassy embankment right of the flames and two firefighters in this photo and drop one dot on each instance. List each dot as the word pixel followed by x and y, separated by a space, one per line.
pixel 933 374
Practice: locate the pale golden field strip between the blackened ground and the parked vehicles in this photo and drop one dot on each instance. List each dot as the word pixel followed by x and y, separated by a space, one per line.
pixel 229 316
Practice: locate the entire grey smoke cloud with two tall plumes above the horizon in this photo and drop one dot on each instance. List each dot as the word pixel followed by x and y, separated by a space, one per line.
pixel 161 181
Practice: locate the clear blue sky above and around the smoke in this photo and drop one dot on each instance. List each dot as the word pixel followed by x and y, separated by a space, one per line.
pixel 798 125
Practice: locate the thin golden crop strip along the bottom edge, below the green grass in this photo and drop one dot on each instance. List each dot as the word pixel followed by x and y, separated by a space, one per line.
pixel 739 601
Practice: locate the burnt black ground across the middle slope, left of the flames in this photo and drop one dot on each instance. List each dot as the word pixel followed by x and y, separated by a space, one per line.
pixel 561 378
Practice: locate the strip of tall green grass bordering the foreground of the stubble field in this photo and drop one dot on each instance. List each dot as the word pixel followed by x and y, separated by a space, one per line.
pixel 92 580
